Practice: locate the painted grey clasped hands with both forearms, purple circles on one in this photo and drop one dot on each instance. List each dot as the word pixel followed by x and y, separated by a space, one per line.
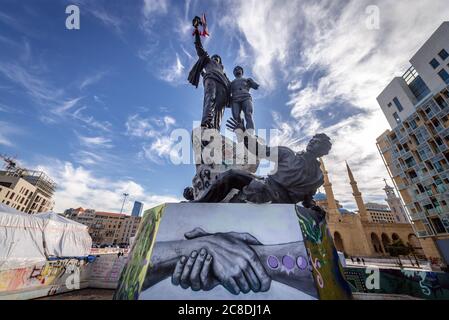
pixel 237 261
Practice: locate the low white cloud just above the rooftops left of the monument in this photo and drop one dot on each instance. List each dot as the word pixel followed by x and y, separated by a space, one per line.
pixel 80 187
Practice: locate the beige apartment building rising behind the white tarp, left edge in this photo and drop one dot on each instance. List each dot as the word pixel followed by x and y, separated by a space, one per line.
pixel 27 191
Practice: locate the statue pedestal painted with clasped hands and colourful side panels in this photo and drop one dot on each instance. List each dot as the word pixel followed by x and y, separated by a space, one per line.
pixel 229 252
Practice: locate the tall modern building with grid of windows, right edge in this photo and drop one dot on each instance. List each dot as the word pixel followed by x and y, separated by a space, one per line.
pixel 416 149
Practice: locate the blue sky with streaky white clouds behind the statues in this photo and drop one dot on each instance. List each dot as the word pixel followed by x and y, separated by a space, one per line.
pixel 94 108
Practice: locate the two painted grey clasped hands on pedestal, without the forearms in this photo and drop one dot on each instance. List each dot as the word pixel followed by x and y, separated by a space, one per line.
pixel 222 258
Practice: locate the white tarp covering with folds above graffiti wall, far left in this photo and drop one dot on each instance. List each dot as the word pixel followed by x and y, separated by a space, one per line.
pixel 29 239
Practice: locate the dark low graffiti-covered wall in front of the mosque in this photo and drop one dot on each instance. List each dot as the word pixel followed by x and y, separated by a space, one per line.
pixel 418 284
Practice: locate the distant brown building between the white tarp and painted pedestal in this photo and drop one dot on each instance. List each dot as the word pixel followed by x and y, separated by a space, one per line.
pixel 106 228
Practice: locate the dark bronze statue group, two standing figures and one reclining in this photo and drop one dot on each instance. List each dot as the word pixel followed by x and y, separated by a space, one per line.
pixel 298 174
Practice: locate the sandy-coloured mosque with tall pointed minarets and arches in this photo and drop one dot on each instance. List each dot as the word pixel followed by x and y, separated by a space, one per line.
pixel 368 231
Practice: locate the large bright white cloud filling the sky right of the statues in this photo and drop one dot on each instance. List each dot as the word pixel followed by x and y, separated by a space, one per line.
pixel 329 57
